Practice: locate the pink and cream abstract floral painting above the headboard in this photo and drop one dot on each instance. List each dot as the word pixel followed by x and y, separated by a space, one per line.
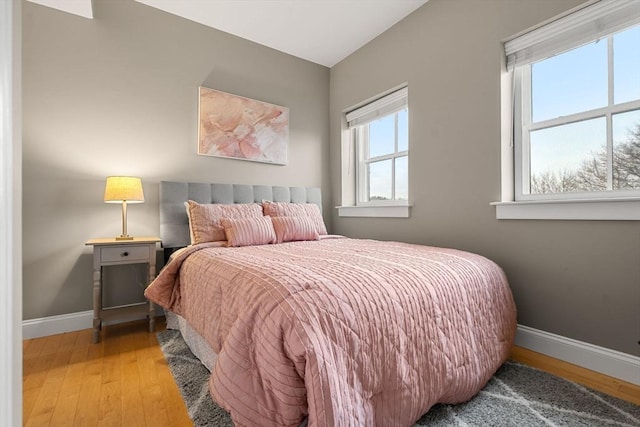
pixel 241 128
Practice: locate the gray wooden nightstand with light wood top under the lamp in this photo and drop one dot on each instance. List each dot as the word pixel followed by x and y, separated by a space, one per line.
pixel 109 251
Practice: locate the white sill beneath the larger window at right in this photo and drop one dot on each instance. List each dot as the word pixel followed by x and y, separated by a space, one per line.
pixel 627 209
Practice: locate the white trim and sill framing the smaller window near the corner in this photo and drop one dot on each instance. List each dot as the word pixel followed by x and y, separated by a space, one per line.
pixel 350 206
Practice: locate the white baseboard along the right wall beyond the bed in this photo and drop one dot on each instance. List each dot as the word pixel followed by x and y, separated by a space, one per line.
pixel 600 359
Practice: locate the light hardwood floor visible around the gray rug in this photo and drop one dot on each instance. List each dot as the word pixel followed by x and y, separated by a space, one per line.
pixel 124 380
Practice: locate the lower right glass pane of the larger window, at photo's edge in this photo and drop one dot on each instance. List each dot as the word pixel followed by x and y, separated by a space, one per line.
pixel 626 151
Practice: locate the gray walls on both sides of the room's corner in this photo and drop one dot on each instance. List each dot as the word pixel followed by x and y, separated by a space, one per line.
pixel 118 95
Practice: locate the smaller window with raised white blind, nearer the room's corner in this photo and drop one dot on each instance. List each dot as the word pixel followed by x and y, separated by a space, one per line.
pixel 380 132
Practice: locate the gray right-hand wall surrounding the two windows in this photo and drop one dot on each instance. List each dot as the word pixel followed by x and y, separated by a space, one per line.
pixel 574 278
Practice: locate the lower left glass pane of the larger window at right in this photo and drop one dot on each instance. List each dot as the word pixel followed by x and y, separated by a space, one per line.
pixel 569 158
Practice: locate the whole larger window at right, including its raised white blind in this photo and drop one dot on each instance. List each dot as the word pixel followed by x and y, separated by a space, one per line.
pixel 576 108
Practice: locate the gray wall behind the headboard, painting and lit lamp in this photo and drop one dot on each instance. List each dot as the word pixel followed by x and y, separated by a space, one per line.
pixel 118 95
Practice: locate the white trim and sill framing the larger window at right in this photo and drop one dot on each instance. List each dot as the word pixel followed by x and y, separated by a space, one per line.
pixel 574 23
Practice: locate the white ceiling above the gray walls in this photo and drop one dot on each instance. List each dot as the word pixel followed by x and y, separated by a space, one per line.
pixel 320 31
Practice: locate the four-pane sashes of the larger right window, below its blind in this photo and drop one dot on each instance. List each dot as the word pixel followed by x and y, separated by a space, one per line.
pixel 580 121
